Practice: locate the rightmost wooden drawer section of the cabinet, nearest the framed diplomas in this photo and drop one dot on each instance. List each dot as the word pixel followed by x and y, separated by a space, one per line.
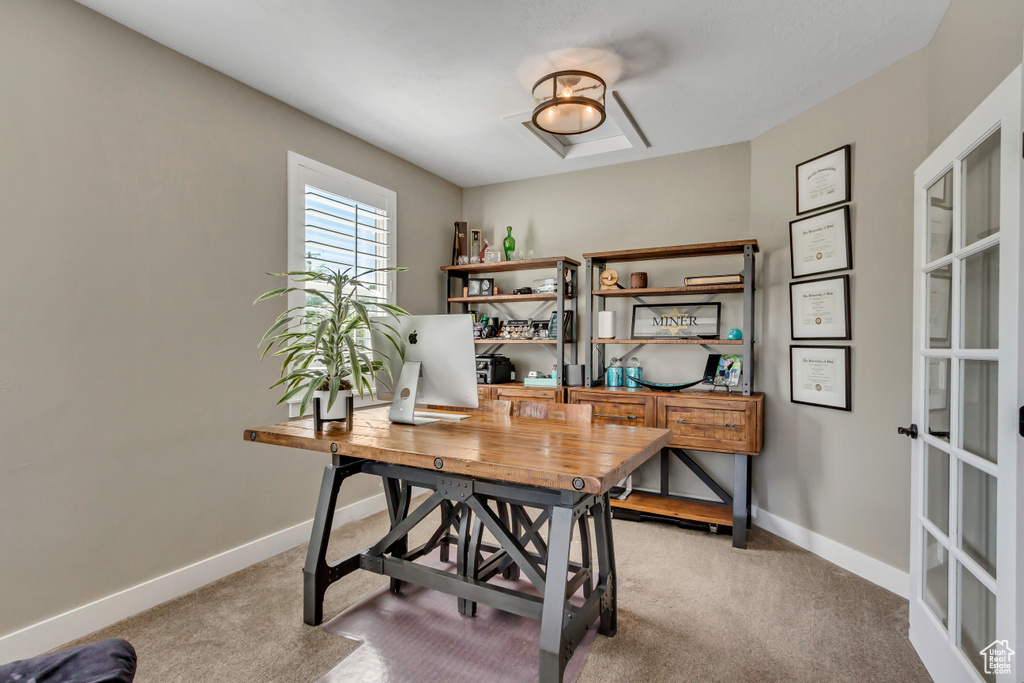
pixel 723 426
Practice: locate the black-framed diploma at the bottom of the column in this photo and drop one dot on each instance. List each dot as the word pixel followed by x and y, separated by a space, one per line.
pixel 821 376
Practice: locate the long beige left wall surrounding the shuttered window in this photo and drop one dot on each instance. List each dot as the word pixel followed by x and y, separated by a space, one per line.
pixel 142 200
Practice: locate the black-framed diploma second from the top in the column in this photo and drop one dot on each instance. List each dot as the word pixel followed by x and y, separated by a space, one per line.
pixel 821 243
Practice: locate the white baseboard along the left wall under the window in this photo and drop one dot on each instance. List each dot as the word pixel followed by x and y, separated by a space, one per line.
pixel 56 631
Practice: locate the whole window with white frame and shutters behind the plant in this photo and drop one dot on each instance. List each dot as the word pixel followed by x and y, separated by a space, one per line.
pixel 339 222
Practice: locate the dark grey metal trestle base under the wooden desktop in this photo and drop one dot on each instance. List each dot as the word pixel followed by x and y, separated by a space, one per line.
pixel 465 504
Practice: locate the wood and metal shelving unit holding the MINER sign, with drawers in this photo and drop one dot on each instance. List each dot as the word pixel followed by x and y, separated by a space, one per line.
pixel 730 510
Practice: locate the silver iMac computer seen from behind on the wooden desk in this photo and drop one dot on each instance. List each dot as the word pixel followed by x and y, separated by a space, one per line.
pixel 440 368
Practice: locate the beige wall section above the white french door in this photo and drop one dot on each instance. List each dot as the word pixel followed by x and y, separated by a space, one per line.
pixel 977 46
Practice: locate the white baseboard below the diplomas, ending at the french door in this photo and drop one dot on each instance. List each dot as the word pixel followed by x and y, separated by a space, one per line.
pixel 868 568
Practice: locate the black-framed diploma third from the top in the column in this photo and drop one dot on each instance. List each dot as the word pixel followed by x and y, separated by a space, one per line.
pixel 821 309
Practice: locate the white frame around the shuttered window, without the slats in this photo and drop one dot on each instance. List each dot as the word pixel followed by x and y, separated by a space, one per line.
pixel 304 172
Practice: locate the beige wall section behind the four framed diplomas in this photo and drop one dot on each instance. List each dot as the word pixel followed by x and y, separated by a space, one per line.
pixel 845 476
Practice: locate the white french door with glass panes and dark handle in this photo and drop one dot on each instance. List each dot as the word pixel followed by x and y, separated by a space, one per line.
pixel 966 569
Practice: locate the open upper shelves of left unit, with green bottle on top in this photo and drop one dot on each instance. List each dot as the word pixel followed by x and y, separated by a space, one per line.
pixel 567 274
